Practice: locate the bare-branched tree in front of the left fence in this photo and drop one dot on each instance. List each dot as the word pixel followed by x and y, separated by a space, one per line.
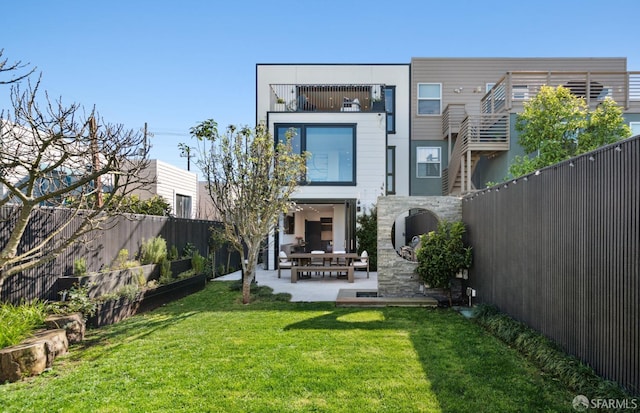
pixel 57 158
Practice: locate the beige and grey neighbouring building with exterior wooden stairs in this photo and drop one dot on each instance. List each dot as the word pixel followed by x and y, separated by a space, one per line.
pixel 463 112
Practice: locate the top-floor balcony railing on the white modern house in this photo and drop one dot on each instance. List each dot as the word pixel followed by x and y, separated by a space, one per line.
pixel 327 98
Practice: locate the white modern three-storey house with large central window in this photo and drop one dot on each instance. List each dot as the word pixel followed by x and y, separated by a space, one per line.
pixel 354 120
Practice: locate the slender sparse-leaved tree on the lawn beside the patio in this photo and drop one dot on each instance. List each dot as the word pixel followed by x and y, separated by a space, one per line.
pixel 250 181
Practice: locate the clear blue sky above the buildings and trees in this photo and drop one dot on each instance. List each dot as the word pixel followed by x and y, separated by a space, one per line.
pixel 175 63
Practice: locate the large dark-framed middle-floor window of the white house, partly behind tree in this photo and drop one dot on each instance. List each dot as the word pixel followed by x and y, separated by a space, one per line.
pixel 332 149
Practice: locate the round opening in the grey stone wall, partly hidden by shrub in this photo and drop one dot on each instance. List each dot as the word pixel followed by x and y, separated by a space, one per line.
pixel 407 228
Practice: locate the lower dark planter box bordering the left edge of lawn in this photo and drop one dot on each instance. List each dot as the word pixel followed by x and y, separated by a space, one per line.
pixel 114 311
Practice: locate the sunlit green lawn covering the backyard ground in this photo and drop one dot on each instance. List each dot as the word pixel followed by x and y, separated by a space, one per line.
pixel 209 353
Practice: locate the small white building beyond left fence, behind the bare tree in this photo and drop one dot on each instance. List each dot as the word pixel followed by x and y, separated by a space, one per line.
pixel 177 186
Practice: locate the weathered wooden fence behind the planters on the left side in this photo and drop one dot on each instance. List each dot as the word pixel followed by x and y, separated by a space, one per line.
pixel 123 232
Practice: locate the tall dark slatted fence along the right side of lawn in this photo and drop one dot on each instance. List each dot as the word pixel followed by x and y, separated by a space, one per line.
pixel 559 250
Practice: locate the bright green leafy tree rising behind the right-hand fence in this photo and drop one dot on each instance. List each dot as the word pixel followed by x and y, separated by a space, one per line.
pixel 557 125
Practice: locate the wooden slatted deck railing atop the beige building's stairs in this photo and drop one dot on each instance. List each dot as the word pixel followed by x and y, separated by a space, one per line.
pixel 594 87
